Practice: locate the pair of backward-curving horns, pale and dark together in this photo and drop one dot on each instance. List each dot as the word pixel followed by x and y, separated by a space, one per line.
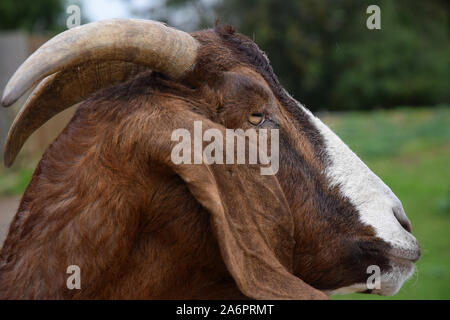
pixel 82 60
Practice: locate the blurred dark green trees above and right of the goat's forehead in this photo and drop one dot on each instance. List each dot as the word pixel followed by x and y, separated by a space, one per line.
pixel 325 55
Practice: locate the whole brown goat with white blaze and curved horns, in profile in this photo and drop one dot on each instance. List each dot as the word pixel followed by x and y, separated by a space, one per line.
pixel 107 197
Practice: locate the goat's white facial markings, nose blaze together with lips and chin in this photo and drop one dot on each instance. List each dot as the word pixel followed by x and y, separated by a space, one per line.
pixel 377 206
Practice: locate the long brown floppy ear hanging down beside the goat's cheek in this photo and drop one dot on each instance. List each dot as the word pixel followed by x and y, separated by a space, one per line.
pixel 249 215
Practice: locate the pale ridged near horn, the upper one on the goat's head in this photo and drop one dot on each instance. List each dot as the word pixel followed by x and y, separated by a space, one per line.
pixel 151 43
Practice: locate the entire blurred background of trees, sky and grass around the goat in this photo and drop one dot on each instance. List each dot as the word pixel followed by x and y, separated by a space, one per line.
pixel 385 91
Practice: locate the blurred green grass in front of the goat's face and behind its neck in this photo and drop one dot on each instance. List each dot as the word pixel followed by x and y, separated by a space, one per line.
pixel 410 150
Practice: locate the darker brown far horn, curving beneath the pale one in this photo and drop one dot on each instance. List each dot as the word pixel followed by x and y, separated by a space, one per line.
pixel 59 91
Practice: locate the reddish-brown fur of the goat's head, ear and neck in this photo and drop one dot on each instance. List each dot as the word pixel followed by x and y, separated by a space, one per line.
pixel 106 197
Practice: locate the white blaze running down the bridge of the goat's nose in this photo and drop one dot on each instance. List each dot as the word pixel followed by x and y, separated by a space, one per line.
pixel 367 192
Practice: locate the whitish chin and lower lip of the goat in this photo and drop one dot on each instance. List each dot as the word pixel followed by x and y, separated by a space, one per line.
pixel 390 282
